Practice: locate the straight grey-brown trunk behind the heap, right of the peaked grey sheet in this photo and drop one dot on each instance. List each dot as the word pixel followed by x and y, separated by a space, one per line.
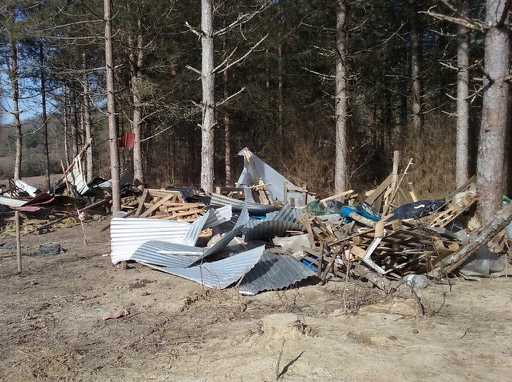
pixel 340 168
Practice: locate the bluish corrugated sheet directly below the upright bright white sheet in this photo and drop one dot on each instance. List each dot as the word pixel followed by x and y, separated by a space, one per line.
pixel 166 254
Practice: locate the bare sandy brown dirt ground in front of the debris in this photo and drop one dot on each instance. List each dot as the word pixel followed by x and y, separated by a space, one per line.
pixel 51 326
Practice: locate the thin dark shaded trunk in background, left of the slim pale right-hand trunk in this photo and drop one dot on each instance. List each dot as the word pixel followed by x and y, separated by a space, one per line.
pixel 417 118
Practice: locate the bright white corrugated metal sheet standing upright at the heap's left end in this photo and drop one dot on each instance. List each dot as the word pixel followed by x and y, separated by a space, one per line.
pixel 128 234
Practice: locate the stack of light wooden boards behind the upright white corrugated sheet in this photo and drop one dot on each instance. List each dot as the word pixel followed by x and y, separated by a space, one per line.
pixel 167 205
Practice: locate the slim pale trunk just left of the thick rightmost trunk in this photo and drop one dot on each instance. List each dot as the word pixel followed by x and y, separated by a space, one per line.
pixel 462 156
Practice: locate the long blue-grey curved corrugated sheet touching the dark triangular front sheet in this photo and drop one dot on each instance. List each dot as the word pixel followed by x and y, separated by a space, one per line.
pixel 218 274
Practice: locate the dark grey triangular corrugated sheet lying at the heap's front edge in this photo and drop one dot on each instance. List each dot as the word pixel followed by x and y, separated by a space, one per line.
pixel 274 272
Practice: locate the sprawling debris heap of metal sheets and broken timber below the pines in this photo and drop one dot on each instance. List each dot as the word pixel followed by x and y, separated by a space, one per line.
pixel 269 234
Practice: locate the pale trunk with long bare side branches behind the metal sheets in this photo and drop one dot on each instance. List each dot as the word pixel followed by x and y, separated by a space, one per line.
pixel 208 84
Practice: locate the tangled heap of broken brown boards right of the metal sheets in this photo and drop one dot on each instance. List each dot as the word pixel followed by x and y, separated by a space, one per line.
pixel 392 249
